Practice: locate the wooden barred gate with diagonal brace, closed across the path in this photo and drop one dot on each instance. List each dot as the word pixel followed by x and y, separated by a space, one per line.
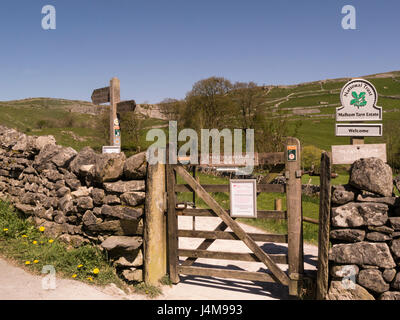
pixel 293 214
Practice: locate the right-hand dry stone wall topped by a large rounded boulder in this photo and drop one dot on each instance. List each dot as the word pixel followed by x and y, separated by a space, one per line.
pixel 365 235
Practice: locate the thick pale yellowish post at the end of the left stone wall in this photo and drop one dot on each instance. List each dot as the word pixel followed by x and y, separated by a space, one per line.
pixel 155 242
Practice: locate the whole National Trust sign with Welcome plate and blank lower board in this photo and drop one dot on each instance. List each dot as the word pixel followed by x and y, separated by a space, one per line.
pixel 358 98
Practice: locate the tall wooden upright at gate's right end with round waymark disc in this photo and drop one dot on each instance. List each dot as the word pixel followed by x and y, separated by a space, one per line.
pixel 294 213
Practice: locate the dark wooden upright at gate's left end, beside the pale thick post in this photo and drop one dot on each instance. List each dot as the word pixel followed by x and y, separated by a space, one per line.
pixel 172 223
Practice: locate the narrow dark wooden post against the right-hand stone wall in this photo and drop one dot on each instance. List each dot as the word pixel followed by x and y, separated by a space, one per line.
pixel 324 221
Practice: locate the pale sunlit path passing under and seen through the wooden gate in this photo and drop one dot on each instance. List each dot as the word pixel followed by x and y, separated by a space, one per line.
pixel 204 288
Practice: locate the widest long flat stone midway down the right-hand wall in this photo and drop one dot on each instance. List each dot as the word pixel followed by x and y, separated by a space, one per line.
pixel 362 253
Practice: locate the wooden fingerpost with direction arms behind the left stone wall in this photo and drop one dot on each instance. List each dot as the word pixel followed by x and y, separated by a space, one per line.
pixel 111 94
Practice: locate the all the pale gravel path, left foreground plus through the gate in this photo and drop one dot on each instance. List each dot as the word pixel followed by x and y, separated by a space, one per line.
pixel 17 284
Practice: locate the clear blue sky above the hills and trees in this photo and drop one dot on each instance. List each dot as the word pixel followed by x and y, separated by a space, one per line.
pixel 158 49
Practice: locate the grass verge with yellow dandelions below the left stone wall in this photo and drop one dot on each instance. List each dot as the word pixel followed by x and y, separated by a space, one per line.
pixel 27 246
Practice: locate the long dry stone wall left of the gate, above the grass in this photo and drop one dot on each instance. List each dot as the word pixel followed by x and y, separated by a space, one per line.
pixel 80 197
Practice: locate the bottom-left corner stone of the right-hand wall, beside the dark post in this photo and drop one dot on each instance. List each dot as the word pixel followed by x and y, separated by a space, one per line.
pixel 339 291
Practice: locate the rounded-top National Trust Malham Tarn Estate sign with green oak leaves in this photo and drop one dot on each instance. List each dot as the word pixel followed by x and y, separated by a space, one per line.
pixel 359 99
